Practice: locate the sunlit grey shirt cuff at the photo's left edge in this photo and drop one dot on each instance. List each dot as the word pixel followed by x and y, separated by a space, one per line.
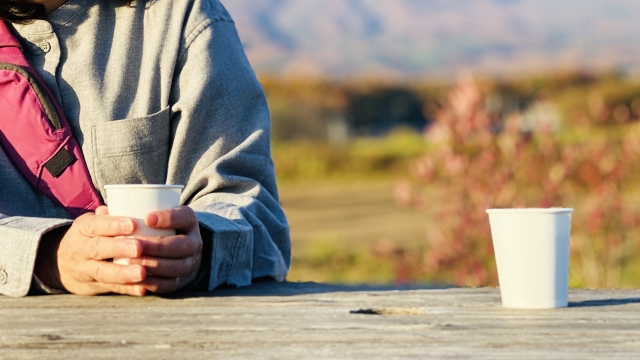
pixel 19 239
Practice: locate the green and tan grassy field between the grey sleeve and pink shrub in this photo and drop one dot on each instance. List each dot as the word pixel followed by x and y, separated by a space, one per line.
pixel 346 224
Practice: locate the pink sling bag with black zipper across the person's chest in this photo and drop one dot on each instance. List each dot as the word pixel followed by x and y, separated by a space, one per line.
pixel 35 134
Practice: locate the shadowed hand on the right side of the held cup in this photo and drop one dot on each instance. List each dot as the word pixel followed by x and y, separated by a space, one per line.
pixel 173 261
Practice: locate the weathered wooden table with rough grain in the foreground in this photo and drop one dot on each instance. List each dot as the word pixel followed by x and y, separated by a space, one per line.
pixel 308 321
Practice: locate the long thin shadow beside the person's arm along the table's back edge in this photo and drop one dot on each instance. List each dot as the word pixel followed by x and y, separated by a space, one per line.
pixel 301 288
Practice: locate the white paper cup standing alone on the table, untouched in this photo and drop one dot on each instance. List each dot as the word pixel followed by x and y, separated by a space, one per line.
pixel 532 254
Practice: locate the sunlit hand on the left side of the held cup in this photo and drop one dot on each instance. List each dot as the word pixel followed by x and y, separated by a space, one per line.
pixel 75 259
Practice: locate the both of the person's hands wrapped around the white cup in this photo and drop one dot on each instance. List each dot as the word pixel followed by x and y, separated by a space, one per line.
pixel 95 237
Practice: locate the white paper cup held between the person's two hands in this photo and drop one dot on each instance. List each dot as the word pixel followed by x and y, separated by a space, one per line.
pixel 137 201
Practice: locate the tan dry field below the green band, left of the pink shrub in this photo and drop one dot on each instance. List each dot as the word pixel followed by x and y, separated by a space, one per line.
pixel 330 220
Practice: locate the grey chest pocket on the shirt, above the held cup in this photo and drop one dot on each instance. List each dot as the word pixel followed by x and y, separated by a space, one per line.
pixel 132 151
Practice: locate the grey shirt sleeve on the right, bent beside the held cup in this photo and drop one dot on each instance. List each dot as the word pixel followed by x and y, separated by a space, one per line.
pixel 221 153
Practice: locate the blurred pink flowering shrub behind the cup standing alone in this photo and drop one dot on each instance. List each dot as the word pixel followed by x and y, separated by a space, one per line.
pixel 477 161
